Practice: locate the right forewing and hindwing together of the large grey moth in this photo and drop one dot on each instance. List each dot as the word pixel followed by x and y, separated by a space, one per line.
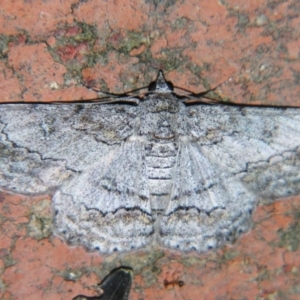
pixel 232 157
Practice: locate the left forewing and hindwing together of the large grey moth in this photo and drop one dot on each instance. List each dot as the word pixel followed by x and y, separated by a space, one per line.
pixel 80 150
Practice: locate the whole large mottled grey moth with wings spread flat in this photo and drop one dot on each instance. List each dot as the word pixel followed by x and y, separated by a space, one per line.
pixel 131 172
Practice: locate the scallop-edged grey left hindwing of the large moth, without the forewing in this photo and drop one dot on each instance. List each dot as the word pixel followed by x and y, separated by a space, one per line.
pixel 107 208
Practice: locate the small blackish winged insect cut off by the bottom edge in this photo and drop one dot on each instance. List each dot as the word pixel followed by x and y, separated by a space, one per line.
pixel 115 286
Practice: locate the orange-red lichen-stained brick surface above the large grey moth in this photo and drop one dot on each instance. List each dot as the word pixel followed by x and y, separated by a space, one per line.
pixel 250 50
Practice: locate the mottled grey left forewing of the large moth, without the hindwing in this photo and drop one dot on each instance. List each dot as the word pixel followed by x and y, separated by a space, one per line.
pixel 43 144
